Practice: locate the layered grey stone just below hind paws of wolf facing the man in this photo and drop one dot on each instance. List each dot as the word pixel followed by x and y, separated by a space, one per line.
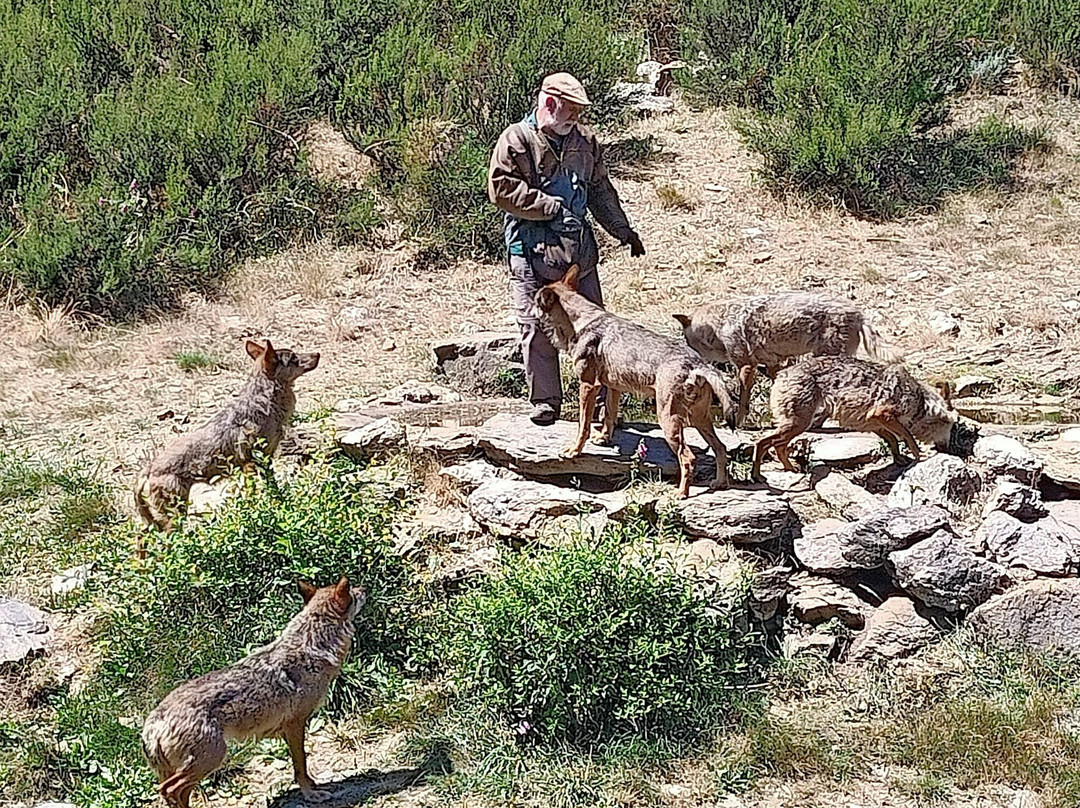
pixel 738 517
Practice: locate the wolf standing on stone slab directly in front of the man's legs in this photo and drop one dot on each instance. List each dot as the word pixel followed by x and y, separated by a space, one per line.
pixel 611 352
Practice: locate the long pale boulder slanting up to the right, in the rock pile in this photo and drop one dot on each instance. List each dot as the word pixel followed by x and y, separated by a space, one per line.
pixel 867 544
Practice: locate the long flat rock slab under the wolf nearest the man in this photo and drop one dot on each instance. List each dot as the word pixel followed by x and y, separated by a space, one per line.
pixel 518 443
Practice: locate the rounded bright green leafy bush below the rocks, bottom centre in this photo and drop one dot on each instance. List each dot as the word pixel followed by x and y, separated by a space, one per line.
pixel 582 644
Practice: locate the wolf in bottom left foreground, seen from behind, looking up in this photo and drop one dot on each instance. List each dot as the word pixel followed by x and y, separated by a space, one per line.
pixel 272 693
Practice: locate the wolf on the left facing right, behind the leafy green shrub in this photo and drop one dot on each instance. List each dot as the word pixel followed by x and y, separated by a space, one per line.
pixel 226 441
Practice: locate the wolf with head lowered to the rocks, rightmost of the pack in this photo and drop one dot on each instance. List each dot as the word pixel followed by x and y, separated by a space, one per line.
pixel 861 396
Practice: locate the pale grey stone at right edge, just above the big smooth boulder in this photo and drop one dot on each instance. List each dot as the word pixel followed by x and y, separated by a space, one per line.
pixel 1045 547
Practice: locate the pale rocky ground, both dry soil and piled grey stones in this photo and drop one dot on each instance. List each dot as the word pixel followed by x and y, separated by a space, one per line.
pixel 857 559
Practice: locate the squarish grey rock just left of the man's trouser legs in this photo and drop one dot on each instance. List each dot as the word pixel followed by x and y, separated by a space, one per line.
pixel 482 362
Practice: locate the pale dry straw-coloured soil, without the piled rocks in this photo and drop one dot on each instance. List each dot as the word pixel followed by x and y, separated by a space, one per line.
pixel 1004 264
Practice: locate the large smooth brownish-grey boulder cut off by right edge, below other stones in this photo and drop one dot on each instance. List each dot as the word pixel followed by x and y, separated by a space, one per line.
pixel 1041 616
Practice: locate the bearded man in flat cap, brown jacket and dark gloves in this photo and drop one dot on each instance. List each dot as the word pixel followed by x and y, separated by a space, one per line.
pixel 546 172
